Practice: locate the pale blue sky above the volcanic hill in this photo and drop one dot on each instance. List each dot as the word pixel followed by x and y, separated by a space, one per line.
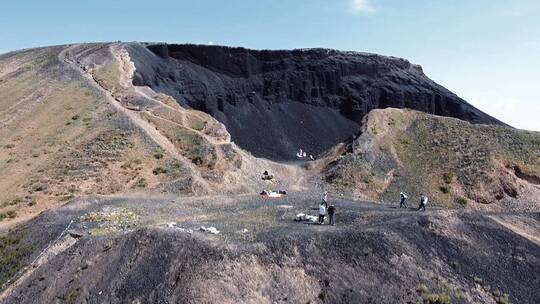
pixel 486 51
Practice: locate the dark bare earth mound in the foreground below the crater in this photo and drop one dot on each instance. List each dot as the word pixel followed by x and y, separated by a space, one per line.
pixel 141 249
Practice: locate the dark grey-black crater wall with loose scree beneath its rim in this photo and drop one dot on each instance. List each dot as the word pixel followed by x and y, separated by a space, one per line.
pixel 276 102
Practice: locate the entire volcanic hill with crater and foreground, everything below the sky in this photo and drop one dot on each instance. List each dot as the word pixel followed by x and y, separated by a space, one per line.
pixel 104 185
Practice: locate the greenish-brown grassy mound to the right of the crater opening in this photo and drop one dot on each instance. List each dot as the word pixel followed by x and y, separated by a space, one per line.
pixel 452 161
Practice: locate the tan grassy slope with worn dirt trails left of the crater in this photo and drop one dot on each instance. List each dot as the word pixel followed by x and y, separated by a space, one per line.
pixel 72 124
